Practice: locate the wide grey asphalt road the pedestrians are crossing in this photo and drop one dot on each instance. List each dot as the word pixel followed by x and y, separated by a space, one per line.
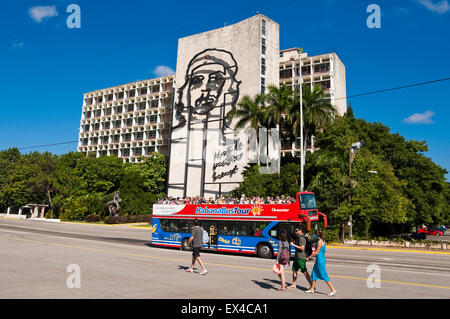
pixel 119 262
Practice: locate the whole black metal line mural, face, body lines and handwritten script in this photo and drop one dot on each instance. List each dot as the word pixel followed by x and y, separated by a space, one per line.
pixel 210 90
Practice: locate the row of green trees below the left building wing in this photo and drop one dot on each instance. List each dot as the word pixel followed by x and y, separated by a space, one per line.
pixel 75 186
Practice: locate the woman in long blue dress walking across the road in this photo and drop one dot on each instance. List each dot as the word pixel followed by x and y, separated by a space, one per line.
pixel 319 271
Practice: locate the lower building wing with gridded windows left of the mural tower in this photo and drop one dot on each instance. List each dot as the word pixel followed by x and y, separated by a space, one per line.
pixel 129 120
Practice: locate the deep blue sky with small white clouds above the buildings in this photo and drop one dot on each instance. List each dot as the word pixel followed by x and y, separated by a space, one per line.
pixel 46 67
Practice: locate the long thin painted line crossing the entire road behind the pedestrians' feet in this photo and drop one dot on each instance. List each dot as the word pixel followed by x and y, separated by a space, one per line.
pixel 210 264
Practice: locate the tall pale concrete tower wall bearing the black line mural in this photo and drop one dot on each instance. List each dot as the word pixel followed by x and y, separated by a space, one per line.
pixel 234 53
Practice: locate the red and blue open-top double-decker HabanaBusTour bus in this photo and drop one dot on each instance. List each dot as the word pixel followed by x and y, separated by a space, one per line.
pixel 240 228
